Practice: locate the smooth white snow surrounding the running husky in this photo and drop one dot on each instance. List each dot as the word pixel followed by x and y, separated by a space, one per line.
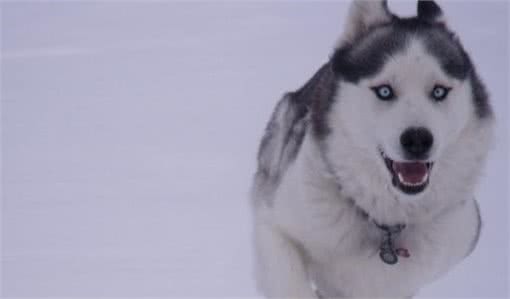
pixel 129 132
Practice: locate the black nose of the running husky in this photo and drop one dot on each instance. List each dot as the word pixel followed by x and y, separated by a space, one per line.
pixel 416 142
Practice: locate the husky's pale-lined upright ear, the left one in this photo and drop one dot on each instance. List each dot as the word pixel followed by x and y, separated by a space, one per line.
pixel 364 15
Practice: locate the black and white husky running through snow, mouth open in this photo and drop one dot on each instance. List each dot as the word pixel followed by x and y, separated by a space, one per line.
pixel 366 174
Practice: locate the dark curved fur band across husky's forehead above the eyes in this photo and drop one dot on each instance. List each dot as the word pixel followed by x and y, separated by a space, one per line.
pixel 365 58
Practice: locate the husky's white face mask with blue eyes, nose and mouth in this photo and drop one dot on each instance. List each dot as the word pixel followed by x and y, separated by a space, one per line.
pixel 405 115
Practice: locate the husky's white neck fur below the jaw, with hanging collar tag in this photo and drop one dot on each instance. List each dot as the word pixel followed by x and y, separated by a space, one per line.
pixel 387 216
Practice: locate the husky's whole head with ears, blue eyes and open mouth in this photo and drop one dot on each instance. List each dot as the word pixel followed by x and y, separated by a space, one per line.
pixel 407 93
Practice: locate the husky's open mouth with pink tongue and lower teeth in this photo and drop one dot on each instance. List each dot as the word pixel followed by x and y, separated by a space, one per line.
pixel 410 177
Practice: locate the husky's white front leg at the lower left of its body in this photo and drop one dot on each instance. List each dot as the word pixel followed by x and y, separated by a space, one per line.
pixel 280 267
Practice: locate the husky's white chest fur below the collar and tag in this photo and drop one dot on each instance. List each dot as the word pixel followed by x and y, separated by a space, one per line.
pixel 341 248
